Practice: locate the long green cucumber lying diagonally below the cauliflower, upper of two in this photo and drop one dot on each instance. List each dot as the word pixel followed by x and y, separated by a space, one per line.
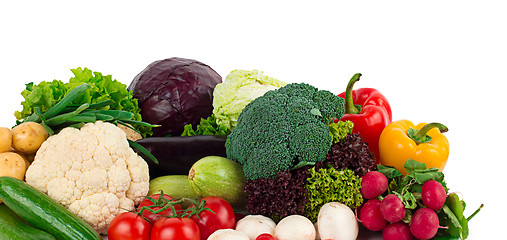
pixel 40 210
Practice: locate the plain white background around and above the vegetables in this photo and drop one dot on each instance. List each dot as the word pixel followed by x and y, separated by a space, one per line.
pixel 438 61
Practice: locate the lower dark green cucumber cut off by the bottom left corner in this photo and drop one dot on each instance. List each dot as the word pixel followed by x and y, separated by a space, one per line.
pixel 12 227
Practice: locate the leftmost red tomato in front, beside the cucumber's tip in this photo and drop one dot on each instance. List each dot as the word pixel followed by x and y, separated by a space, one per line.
pixel 128 226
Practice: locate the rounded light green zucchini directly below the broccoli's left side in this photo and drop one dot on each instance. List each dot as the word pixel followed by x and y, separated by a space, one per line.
pixel 219 176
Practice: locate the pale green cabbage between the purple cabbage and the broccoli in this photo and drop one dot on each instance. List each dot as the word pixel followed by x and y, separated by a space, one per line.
pixel 239 88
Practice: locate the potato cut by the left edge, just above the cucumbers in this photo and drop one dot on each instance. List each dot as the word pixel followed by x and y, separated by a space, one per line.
pixel 12 165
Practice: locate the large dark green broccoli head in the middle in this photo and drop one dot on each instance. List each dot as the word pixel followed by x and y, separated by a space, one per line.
pixel 283 129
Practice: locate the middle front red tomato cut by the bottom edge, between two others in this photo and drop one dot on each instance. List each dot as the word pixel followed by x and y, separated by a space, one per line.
pixel 175 229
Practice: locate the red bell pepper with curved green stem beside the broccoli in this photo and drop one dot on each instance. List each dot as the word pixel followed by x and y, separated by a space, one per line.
pixel 370 112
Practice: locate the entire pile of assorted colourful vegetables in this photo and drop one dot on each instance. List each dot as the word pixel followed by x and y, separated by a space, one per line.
pixel 181 154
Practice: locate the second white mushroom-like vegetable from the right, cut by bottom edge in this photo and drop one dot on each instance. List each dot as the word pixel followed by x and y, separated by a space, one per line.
pixel 295 227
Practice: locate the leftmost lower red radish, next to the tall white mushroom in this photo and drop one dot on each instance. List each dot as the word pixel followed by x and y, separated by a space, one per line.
pixel 370 216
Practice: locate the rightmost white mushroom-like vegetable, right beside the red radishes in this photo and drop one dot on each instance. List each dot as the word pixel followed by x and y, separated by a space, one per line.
pixel 337 221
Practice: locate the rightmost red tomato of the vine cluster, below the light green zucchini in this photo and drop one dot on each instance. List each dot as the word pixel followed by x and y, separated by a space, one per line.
pixel 222 216
